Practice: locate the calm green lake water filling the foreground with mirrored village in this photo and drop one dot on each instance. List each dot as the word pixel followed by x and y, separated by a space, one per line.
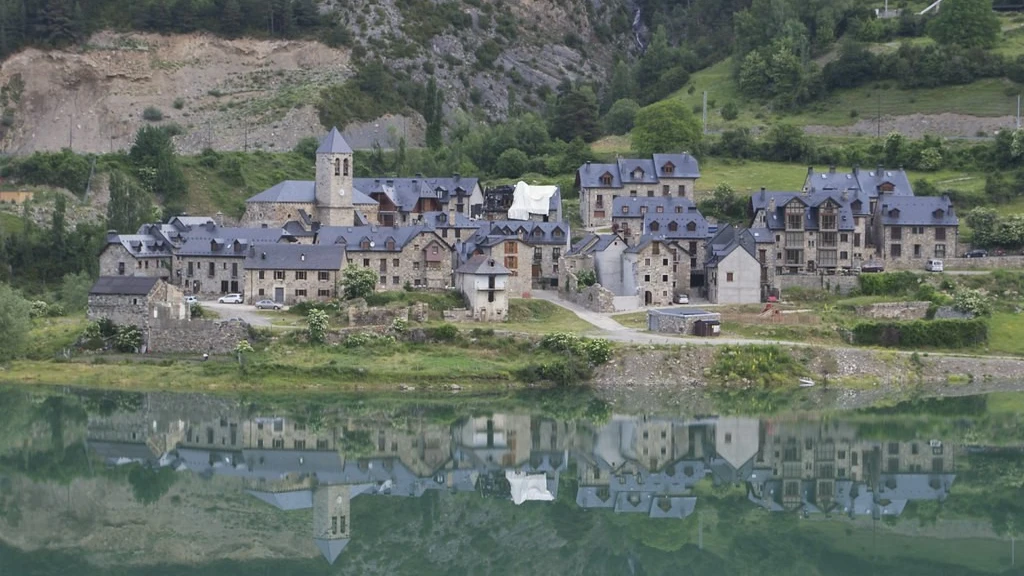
pixel 141 484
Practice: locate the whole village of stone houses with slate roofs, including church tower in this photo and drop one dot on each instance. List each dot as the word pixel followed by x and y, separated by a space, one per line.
pixel 645 242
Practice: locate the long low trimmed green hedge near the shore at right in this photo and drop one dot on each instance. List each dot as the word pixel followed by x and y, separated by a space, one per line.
pixel 923 334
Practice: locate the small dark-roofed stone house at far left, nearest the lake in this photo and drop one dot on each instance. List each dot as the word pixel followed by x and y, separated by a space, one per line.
pixel 136 301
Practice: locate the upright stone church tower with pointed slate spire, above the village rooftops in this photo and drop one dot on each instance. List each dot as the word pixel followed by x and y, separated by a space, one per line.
pixel 334 181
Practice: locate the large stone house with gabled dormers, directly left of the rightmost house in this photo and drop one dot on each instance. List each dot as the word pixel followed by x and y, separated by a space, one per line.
pixel 827 231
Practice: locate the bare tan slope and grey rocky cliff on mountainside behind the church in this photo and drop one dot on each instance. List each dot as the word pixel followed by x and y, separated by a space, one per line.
pixel 238 95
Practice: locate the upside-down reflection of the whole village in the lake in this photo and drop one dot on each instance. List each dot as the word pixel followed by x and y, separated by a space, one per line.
pixel 643 466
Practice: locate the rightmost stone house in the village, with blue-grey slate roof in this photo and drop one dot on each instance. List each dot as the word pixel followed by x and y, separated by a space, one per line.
pixel 916 228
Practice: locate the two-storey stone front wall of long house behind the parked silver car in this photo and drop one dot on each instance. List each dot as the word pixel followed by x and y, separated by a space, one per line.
pixel 295 285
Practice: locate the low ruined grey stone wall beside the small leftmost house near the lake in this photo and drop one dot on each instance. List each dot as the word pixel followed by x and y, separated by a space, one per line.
pixel 198 337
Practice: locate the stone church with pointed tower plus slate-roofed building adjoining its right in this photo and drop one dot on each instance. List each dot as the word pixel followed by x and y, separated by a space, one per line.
pixel 336 197
